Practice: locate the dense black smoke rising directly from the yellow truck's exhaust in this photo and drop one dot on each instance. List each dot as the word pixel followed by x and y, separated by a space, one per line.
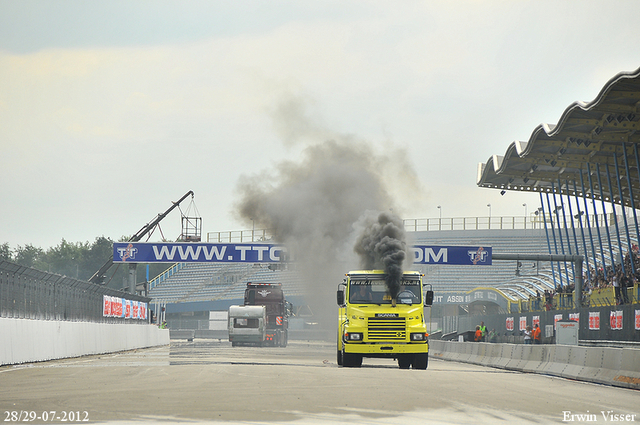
pixel 382 246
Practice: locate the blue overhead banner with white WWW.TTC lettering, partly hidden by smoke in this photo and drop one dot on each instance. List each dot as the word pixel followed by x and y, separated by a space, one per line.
pixel 169 252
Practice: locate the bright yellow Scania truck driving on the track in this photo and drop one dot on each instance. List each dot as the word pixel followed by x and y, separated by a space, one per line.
pixel 373 324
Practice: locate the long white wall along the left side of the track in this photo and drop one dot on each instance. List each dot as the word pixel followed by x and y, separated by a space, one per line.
pixel 24 340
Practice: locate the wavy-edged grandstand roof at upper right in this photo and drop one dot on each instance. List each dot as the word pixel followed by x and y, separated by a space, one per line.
pixel 595 133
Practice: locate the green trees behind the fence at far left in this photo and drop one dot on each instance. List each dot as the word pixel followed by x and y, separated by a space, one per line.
pixel 79 260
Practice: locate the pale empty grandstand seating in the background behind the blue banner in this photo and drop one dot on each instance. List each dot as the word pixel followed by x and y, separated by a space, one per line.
pixel 196 282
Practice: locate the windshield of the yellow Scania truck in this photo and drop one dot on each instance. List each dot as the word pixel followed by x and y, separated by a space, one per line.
pixel 375 292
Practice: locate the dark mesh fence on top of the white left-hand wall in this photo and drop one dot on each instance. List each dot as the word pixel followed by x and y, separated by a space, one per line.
pixel 27 293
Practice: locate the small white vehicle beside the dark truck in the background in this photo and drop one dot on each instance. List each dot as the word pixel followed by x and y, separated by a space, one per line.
pixel 247 325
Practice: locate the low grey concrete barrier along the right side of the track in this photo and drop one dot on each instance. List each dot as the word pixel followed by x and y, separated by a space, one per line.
pixel 605 365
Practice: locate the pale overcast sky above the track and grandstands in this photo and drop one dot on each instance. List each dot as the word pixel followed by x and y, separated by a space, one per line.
pixel 110 110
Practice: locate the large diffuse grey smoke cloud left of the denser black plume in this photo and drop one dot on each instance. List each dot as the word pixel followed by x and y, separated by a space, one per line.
pixel 311 207
